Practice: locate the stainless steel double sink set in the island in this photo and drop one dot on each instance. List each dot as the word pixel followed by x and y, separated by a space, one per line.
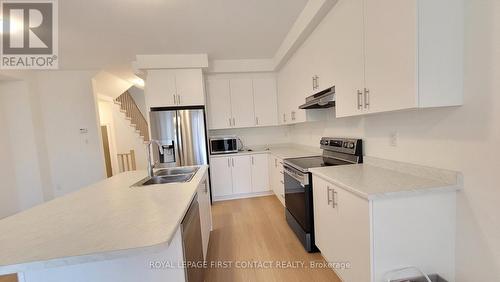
pixel 169 175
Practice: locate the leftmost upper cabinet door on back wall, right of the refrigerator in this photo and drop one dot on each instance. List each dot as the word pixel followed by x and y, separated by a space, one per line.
pixel 219 104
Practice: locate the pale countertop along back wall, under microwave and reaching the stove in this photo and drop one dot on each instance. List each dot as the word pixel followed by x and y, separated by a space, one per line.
pixel 282 151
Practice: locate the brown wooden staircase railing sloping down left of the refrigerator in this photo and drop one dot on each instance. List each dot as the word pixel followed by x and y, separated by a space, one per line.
pixel 132 113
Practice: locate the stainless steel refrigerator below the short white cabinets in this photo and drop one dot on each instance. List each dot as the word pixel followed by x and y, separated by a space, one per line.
pixel 182 134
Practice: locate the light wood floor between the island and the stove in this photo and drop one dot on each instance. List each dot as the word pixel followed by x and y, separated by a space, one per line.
pixel 255 230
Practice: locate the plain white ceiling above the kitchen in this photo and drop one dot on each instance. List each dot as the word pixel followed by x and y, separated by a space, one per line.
pixel 109 33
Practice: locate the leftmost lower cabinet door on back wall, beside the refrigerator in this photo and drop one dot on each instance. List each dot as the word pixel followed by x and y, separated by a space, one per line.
pixel 222 181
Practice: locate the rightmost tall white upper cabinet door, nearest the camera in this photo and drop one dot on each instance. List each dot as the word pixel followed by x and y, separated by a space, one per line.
pixel 391 49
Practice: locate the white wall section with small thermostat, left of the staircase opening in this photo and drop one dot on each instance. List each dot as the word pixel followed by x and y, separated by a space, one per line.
pixel 67 105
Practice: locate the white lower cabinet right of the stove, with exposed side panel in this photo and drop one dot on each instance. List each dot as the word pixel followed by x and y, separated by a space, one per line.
pixel 374 237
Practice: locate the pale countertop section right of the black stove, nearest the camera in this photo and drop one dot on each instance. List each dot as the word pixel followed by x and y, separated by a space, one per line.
pixel 378 178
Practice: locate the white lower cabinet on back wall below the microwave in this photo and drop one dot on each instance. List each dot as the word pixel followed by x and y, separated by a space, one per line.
pixel 238 176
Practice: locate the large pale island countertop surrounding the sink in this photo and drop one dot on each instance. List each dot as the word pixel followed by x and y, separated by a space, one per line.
pixel 105 220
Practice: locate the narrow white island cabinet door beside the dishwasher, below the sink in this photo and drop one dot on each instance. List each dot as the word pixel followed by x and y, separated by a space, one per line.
pixel 205 214
